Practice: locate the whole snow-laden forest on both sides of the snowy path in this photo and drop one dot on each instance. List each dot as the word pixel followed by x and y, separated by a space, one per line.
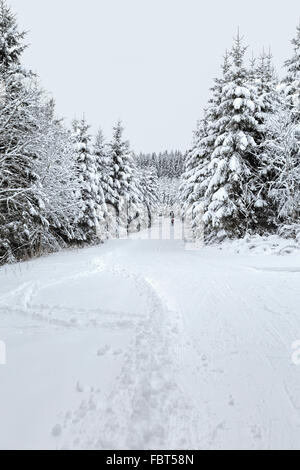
pixel 63 187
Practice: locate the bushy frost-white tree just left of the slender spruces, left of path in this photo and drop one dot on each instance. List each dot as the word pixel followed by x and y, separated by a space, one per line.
pixel 57 171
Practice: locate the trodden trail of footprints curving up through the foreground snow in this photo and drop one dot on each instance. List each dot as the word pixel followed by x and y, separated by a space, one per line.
pixel 154 413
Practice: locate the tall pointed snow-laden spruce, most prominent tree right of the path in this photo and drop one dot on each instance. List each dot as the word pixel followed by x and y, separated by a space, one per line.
pixel 230 196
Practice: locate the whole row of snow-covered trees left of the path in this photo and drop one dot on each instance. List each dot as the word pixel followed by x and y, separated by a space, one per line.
pixel 58 186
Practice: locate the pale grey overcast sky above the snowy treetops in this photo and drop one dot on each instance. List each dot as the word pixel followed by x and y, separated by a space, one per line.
pixel 148 62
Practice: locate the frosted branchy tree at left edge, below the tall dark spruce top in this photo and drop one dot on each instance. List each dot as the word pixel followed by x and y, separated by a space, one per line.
pixel 22 223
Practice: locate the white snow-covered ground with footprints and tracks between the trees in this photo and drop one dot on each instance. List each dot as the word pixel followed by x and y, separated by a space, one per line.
pixel 143 344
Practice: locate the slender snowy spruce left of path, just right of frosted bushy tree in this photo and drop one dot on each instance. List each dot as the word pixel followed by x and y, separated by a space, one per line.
pixel 91 216
